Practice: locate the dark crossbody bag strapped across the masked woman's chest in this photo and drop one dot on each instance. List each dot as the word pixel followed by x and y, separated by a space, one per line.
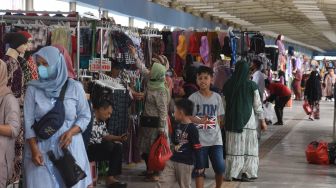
pixel 52 121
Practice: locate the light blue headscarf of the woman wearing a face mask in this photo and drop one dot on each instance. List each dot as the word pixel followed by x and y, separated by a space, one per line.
pixel 58 71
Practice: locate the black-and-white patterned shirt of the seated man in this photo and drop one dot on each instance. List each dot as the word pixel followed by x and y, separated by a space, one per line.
pixel 99 131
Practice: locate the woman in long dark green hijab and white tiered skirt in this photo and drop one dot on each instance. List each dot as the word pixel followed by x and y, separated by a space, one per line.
pixel 243 105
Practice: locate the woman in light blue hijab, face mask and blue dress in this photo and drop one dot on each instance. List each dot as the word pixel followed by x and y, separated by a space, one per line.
pixel 40 99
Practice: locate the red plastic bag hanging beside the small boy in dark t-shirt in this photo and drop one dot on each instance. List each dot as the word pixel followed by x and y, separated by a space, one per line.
pixel 159 154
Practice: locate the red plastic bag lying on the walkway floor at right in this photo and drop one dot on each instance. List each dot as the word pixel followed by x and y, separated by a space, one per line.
pixel 317 153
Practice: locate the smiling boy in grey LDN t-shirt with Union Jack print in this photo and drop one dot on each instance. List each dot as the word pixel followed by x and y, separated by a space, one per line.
pixel 209 114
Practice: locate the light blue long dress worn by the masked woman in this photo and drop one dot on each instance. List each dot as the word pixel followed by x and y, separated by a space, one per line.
pixel 77 112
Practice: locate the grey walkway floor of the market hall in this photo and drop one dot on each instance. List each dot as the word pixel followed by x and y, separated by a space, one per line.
pixel 282 155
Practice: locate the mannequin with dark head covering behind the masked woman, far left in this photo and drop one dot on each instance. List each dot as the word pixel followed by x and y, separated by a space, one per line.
pixel 17 45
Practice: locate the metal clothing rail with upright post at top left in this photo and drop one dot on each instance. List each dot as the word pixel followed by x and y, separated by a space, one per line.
pixel 76 19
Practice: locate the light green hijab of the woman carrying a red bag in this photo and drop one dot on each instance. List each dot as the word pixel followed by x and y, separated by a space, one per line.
pixel 157 77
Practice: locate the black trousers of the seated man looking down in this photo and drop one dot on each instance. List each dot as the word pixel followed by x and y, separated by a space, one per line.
pixel 107 151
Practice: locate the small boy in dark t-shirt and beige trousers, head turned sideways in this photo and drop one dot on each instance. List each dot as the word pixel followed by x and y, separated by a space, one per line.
pixel 186 150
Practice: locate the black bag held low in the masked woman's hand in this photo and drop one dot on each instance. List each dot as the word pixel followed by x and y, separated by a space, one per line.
pixel 66 165
